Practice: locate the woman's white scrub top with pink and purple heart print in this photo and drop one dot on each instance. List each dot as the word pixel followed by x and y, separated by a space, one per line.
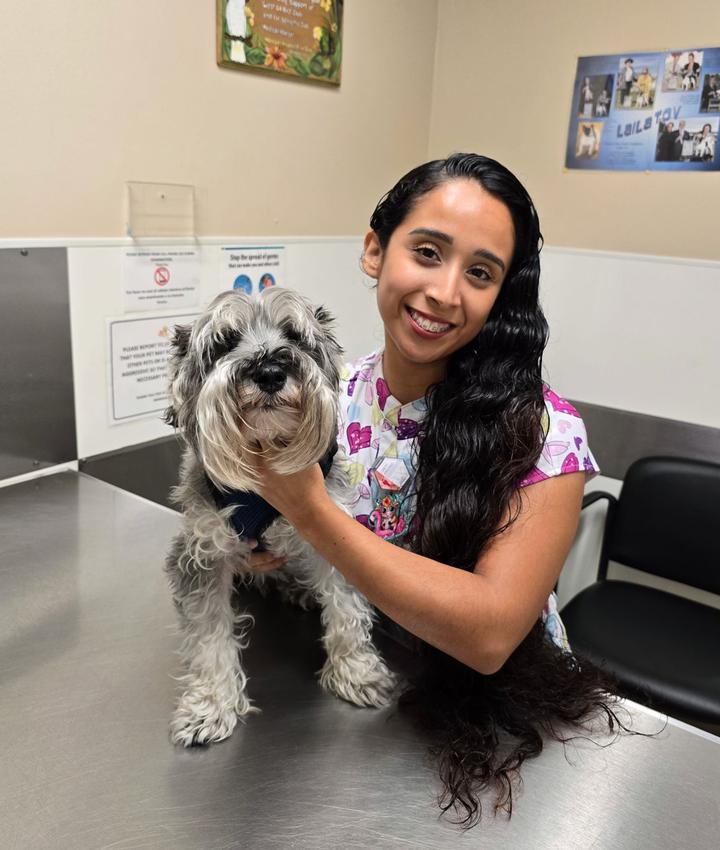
pixel 378 435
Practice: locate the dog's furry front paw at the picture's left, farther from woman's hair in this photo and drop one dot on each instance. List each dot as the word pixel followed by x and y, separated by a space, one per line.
pixel 205 718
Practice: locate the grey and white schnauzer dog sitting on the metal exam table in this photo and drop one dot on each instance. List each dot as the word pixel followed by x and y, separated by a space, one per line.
pixel 256 375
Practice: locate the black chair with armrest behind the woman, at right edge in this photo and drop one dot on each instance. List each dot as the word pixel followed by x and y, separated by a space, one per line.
pixel 663 649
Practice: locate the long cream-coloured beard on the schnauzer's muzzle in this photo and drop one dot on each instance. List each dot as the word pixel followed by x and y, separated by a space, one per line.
pixel 238 424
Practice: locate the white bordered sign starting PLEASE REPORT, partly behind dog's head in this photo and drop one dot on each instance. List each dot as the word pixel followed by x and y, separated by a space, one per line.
pixel 139 353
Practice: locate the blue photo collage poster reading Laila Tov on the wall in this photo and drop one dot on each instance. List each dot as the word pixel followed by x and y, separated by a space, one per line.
pixel 646 111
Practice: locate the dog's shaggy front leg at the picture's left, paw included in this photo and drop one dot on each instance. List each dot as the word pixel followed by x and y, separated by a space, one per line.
pixel 213 634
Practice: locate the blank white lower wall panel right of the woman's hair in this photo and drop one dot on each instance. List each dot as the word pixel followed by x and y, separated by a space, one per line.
pixel 634 332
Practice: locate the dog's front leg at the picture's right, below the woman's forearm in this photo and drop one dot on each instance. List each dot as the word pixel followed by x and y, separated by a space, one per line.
pixel 354 670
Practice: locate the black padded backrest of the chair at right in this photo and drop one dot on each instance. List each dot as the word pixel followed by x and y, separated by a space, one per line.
pixel 667 521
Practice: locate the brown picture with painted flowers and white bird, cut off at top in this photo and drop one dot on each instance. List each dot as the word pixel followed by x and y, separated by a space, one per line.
pixel 297 38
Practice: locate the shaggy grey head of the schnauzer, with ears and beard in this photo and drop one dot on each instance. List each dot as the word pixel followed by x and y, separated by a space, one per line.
pixel 256 375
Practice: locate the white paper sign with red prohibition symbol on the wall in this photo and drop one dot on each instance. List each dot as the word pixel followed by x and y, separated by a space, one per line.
pixel 159 278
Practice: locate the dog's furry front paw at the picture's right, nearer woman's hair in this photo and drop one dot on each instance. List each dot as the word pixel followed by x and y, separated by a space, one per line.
pixel 362 679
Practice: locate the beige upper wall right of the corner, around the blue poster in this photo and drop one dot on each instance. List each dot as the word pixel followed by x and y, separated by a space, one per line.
pixel 503 87
